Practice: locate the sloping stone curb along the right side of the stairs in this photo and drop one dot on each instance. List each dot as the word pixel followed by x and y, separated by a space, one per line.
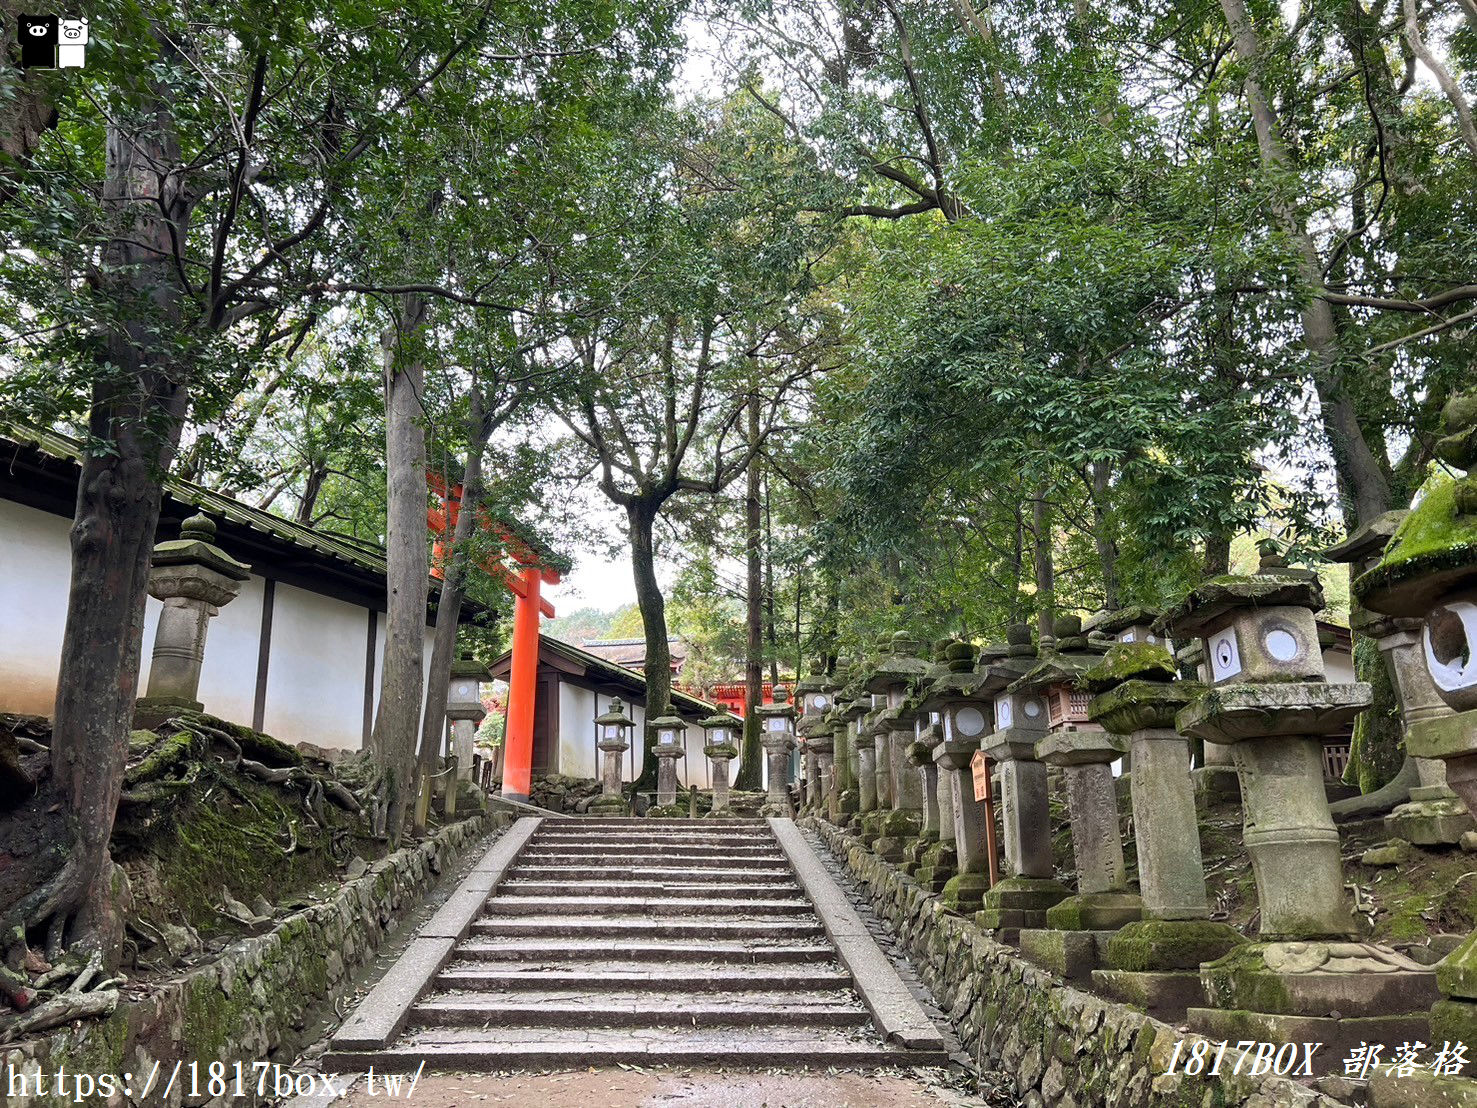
pixel 897 1014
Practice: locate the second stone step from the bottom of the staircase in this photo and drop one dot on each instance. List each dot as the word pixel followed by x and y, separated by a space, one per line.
pixel 636 1010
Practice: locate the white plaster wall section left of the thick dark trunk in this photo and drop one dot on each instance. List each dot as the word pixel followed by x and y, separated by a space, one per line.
pixel 35 574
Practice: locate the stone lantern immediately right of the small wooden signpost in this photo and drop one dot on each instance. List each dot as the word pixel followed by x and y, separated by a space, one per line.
pixel 1020 720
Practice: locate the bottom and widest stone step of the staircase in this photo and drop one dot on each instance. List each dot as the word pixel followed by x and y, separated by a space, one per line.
pixel 470 1050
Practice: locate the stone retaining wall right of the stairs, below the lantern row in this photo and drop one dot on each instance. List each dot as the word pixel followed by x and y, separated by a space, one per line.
pixel 1066 1048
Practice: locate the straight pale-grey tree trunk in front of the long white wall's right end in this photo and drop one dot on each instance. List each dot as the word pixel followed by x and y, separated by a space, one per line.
pixel 392 742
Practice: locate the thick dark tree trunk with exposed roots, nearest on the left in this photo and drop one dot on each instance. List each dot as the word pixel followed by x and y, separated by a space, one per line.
pixel 57 874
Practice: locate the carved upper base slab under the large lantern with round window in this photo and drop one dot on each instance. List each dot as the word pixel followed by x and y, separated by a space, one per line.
pixel 1320 980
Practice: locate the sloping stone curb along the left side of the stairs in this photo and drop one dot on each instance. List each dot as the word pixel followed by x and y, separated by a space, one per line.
pixel 386 1008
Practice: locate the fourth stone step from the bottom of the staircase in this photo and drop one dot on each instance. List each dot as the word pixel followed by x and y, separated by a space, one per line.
pixel 645 951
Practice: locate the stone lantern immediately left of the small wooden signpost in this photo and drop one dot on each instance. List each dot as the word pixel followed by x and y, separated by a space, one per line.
pixel 965 714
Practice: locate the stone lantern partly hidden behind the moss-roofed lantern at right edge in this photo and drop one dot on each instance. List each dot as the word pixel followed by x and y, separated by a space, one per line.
pixel 1433 815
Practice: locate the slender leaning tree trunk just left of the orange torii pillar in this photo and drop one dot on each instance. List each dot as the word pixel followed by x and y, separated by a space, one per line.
pixel 448 609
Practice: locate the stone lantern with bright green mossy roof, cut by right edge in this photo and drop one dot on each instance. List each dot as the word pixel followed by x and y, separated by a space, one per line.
pixel 1429 574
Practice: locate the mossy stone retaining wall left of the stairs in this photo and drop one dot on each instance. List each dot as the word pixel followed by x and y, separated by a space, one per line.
pixel 256 999
